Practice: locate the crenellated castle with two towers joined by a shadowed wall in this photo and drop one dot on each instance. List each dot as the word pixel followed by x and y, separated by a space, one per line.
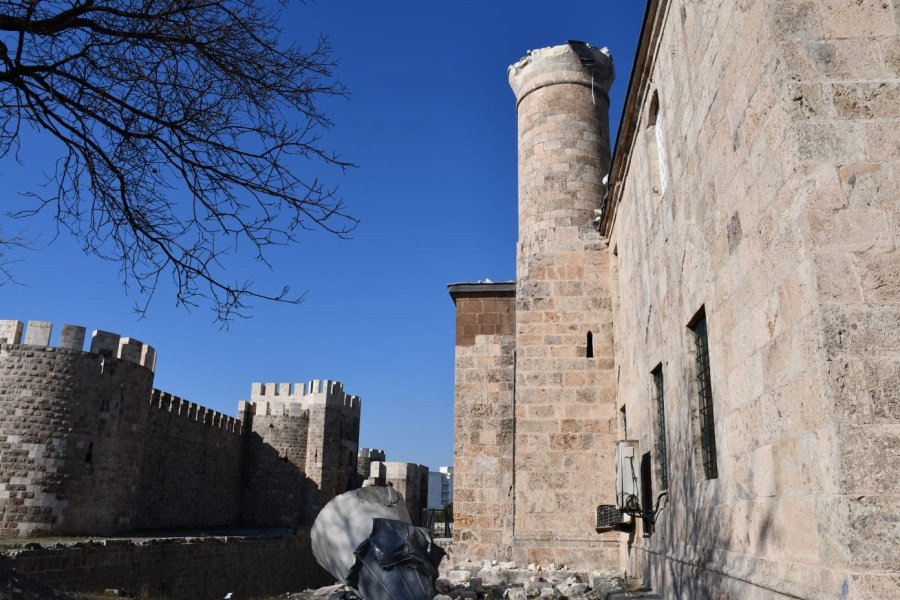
pixel 88 447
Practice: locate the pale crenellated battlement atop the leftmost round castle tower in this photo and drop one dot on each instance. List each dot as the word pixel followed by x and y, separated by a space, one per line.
pixel 72 337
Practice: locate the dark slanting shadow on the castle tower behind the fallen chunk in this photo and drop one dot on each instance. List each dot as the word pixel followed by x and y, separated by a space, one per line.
pixel 277 493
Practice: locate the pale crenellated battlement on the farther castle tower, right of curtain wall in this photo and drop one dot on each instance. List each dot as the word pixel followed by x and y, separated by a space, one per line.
pixel 282 398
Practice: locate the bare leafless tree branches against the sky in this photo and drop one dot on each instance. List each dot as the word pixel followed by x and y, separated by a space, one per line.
pixel 182 123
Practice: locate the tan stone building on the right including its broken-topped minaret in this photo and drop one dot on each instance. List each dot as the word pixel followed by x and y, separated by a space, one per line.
pixel 745 330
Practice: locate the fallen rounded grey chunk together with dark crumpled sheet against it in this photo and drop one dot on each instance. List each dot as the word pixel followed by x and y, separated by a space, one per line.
pixel 366 540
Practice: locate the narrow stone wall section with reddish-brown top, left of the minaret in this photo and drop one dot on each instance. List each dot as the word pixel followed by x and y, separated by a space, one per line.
pixel 484 420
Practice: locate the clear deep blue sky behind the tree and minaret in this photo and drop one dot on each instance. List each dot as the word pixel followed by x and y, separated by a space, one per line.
pixel 431 123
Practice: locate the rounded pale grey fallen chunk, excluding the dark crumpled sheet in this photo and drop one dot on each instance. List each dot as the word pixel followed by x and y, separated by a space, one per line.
pixel 346 522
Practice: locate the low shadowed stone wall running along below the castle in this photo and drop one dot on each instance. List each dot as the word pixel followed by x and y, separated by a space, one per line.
pixel 202 568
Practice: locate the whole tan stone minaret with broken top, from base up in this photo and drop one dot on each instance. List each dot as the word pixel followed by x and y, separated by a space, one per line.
pixel 564 384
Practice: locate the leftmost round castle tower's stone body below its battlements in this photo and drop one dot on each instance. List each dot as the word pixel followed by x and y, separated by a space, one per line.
pixel 72 429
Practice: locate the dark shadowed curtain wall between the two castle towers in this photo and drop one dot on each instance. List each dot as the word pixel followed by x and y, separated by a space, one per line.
pixel 191 468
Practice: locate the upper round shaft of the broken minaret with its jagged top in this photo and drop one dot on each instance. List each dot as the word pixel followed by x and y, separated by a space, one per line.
pixel 563 109
